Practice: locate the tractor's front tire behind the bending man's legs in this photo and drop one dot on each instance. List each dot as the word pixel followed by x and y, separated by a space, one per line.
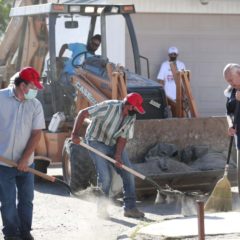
pixel 78 169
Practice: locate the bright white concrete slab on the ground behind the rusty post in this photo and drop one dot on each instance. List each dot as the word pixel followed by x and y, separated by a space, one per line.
pixel 187 227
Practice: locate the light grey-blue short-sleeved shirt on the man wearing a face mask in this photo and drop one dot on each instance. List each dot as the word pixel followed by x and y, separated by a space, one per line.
pixel 17 120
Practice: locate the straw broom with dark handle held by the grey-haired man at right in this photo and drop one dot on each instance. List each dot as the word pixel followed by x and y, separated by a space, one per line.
pixel 221 198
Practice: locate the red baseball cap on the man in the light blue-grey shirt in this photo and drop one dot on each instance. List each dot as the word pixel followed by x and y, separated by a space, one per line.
pixel 30 74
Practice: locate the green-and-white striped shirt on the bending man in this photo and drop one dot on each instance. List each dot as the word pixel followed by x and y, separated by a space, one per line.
pixel 107 123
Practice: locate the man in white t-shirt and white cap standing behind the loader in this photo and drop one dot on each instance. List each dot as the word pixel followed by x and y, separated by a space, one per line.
pixel 165 75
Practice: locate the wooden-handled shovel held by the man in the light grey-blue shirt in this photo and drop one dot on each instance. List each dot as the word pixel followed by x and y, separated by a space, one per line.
pixel 38 173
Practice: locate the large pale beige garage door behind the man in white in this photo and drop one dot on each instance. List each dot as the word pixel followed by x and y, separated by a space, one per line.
pixel 206 44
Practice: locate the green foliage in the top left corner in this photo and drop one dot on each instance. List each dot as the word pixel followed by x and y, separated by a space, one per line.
pixel 5 6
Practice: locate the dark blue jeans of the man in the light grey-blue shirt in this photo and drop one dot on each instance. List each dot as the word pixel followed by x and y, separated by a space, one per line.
pixel 16 217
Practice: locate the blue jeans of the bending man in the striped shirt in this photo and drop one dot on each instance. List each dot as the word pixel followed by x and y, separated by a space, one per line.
pixel 103 168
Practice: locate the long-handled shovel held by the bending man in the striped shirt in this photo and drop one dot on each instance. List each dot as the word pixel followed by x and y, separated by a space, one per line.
pixel 160 191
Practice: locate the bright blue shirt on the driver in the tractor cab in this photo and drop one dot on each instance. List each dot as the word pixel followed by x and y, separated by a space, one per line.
pixel 75 48
